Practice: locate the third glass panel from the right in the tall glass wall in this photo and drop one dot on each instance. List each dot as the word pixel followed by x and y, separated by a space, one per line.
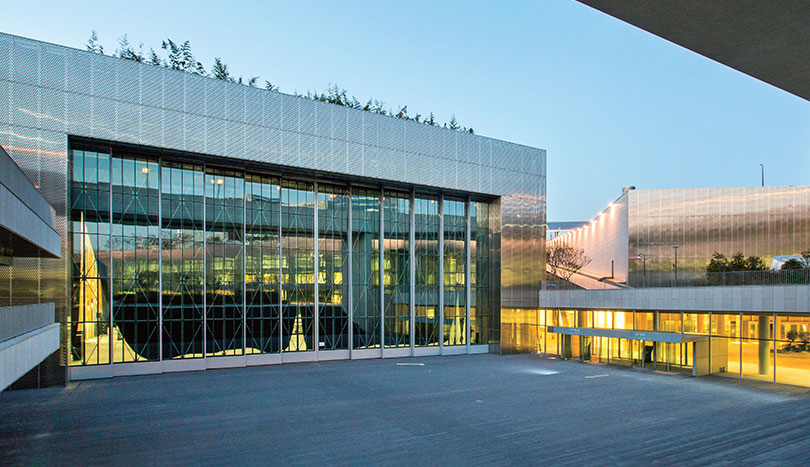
pixel 426 255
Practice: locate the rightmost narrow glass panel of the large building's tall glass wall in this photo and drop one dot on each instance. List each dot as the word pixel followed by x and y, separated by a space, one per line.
pixel 480 266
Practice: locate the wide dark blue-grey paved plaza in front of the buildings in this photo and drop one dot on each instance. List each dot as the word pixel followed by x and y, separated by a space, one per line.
pixel 480 409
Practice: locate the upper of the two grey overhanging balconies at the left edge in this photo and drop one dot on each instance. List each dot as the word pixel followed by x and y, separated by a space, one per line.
pixel 26 218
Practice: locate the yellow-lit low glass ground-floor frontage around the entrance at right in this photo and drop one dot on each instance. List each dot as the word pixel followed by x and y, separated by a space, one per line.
pixel 771 347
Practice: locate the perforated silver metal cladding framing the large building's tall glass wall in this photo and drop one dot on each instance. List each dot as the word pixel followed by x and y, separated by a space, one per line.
pixel 50 92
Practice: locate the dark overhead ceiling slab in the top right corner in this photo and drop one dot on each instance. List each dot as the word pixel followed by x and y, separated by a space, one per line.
pixel 766 39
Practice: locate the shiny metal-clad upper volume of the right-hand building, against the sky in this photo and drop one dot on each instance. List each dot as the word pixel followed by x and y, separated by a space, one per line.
pixel 639 238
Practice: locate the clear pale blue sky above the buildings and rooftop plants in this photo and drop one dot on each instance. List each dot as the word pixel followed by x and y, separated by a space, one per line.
pixel 613 105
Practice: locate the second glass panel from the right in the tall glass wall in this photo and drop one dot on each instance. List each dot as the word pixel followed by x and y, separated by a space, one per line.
pixel 455 233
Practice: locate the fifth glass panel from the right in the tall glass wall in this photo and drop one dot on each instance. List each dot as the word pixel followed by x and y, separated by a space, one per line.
pixel 365 268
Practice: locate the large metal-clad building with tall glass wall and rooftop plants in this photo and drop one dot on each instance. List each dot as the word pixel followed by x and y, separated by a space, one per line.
pixel 207 224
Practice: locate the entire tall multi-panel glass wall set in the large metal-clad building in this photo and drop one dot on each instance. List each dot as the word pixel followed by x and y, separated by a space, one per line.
pixel 180 260
